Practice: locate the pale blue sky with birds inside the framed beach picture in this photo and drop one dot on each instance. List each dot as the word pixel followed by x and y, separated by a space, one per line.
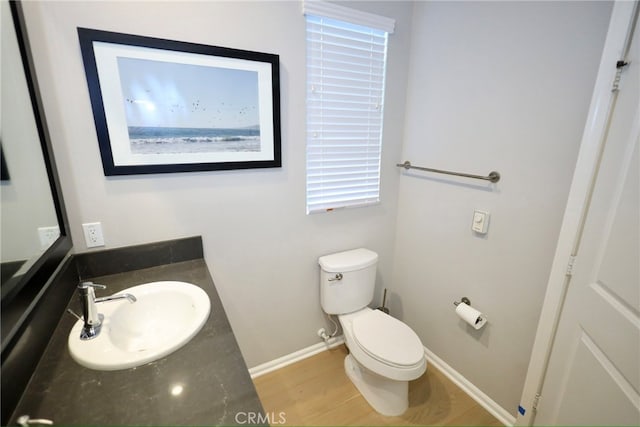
pixel 167 94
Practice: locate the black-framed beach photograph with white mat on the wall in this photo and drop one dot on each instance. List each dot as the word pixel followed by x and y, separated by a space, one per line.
pixel 164 106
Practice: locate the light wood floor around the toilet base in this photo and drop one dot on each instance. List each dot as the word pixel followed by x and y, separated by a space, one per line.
pixel 316 391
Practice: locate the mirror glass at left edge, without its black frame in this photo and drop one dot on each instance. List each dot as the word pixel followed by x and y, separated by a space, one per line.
pixel 27 211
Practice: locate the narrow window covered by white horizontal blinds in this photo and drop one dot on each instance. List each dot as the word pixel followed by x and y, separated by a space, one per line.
pixel 346 62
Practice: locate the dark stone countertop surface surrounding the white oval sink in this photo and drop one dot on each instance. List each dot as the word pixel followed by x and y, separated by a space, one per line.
pixel 209 370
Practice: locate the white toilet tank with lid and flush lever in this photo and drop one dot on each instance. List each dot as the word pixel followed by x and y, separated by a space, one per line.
pixel 347 280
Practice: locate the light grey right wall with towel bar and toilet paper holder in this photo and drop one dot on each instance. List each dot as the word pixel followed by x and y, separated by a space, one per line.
pixel 492 86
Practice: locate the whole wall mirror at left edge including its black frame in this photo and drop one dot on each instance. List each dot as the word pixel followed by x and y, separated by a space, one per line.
pixel 33 235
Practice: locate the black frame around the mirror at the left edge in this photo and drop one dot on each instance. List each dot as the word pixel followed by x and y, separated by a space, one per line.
pixel 26 291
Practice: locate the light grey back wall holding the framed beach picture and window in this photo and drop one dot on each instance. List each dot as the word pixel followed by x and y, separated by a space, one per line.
pixel 260 246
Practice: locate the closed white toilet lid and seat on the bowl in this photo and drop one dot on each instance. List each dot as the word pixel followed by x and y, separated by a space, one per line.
pixel 388 340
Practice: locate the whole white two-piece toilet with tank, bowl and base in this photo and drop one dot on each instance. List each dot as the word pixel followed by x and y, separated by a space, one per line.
pixel 384 353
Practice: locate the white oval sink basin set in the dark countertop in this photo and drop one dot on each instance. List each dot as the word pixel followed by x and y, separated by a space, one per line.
pixel 165 317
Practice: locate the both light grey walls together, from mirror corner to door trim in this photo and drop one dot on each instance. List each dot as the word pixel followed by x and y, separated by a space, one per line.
pixel 501 86
